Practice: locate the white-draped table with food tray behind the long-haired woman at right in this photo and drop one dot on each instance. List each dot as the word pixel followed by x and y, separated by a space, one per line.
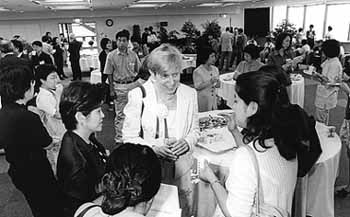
pixel 315 193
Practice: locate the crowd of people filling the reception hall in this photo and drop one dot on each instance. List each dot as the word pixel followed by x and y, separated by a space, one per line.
pixel 156 122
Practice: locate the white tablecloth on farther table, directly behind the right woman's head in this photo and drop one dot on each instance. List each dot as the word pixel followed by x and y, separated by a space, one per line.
pixel 227 87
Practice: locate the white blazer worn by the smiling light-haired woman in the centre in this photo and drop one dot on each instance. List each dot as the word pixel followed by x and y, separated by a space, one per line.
pixel 187 124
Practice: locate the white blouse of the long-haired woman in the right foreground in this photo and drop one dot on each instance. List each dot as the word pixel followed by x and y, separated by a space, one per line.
pixel 278 179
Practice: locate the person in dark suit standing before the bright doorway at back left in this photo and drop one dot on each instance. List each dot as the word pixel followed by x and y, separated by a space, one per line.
pixel 74 56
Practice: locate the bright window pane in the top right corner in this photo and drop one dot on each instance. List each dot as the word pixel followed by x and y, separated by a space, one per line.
pixel 339 18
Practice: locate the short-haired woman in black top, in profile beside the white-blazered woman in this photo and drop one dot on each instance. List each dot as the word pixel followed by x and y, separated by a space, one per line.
pixel 81 160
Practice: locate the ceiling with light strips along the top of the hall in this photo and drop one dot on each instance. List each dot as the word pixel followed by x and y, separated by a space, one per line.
pixel 21 6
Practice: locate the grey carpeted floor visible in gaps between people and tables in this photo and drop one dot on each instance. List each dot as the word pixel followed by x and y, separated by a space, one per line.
pixel 12 203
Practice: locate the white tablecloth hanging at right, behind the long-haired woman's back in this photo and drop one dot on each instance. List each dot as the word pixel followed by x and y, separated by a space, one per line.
pixel 315 192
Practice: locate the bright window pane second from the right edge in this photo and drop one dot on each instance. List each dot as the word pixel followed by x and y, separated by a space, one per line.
pixel 315 16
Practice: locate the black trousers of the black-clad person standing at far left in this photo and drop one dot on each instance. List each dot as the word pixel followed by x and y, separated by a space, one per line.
pixel 40 190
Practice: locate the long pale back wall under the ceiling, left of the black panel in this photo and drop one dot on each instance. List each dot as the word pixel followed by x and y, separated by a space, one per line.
pixel 34 25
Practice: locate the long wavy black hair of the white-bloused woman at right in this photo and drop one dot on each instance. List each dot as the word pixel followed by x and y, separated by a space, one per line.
pixel 272 119
